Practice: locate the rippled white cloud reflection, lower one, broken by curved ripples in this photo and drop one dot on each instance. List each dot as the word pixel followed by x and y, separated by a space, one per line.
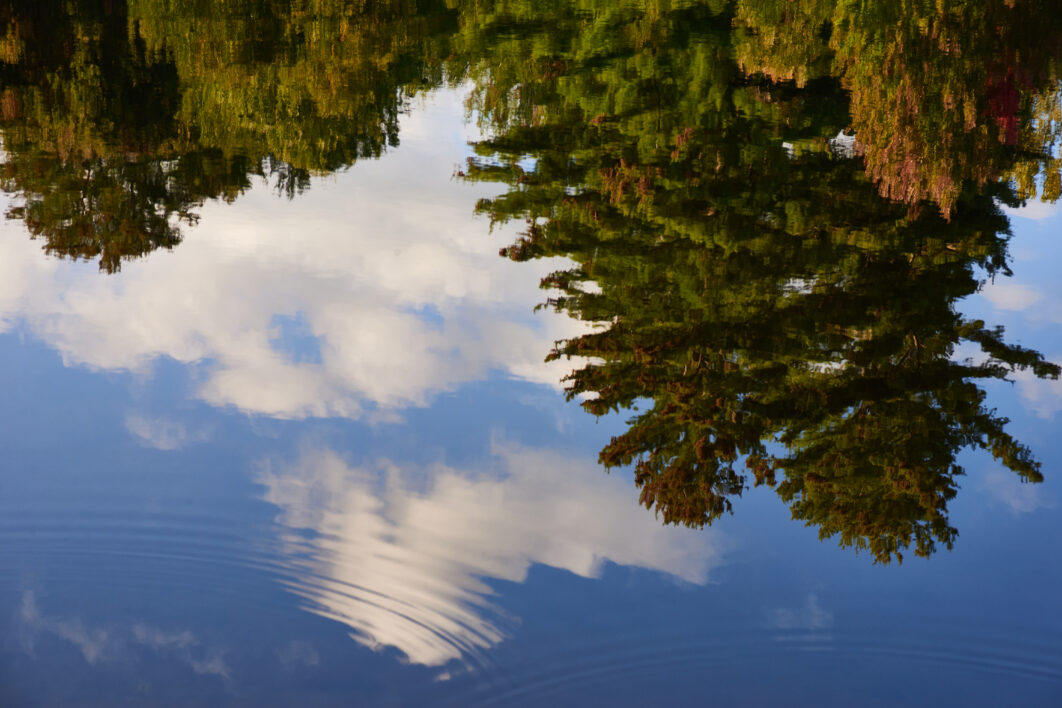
pixel 402 557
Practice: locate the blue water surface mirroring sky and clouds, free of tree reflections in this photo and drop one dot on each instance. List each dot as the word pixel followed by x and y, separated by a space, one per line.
pixel 313 458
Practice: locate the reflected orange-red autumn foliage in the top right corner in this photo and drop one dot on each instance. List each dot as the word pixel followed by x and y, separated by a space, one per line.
pixel 941 93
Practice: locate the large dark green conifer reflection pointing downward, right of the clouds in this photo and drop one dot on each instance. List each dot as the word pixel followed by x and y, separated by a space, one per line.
pixel 759 301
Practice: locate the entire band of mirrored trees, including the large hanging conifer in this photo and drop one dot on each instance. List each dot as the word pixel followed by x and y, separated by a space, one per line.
pixel 774 210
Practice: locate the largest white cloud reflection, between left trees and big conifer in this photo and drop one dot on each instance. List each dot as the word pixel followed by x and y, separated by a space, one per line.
pixel 397 288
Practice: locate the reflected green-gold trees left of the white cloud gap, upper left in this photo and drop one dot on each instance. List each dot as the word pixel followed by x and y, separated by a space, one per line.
pixel 121 118
